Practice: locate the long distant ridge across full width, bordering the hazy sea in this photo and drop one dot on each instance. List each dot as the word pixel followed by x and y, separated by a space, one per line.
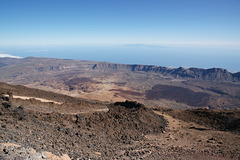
pixel 211 74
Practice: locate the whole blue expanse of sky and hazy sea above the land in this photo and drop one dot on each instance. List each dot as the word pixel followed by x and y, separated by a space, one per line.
pixel 189 33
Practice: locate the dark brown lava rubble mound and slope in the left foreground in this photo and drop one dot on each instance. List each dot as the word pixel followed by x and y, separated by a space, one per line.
pixel 90 135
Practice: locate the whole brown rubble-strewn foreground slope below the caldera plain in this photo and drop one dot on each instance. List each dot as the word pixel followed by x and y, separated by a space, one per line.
pixel 128 130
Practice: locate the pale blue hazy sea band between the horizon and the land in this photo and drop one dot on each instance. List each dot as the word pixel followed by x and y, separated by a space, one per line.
pixel 167 56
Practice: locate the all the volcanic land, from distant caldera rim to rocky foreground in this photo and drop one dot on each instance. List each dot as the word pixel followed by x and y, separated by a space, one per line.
pixel 72 109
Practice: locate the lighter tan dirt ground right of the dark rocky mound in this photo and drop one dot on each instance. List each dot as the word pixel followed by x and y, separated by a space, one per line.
pixel 180 134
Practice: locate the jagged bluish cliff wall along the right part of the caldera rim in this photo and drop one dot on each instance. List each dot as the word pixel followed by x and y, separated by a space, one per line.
pixel 213 74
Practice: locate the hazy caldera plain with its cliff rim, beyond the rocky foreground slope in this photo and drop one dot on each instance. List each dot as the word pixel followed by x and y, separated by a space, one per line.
pixel 108 82
